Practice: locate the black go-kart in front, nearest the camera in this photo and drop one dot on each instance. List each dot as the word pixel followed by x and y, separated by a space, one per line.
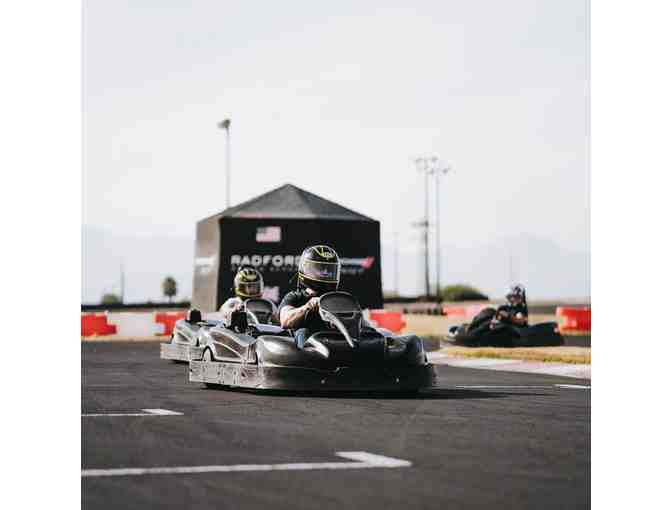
pixel 350 355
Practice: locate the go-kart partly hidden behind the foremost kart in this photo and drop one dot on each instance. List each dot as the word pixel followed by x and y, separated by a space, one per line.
pixel 188 339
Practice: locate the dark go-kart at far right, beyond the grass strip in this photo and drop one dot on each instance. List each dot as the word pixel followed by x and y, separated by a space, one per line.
pixel 504 334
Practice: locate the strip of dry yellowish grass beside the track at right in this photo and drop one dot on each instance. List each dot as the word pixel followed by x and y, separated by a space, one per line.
pixel 561 354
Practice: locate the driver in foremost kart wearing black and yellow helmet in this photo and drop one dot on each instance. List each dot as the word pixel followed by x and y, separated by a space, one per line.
pixel 319 273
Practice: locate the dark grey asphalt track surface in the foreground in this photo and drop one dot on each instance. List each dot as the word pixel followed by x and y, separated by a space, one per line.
pixel 503 440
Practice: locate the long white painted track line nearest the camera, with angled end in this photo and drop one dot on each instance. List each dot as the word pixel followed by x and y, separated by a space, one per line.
pixel 364 460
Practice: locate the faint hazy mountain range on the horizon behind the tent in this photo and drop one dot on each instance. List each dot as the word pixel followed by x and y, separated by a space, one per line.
pixel 547 269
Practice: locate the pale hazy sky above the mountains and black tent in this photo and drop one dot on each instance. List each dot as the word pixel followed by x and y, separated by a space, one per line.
pixel 338 98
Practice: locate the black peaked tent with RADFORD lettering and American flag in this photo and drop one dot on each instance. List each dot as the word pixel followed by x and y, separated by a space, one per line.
pixel 269 232
